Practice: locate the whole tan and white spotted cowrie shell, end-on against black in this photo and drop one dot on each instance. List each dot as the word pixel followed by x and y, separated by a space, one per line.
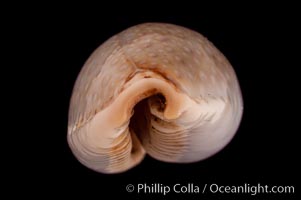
pixel 156 89
